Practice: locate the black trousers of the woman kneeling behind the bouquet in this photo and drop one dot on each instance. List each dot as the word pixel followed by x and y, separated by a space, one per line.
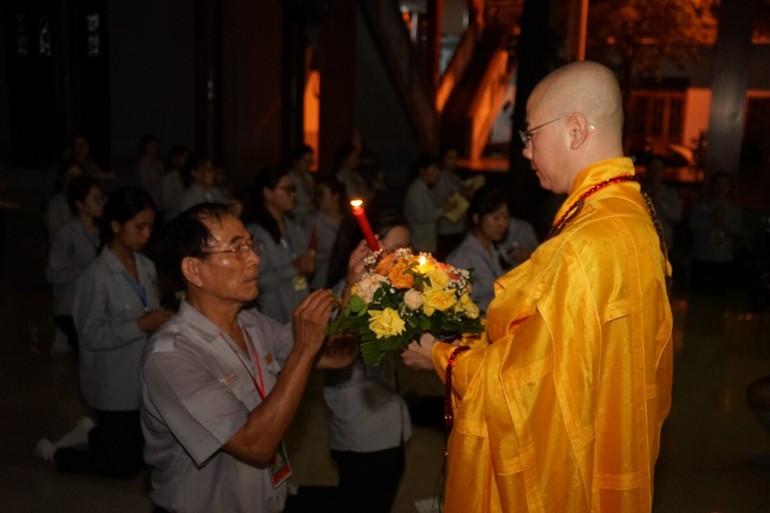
pixel 369 480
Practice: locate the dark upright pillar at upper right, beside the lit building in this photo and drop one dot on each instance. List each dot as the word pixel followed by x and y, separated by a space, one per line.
pixel 728 92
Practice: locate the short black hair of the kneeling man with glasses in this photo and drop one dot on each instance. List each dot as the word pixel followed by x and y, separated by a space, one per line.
pixel 187 236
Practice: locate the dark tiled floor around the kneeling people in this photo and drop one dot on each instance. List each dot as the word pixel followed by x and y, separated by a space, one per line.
pixel 706 440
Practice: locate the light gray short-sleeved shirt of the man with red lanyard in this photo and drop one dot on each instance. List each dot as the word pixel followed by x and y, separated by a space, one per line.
pixel 197 392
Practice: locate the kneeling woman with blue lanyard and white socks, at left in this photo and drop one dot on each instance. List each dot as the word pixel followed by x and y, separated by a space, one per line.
pixel 116 308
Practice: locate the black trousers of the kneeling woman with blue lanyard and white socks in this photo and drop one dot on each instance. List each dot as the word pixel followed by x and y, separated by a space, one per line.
pixel 114 448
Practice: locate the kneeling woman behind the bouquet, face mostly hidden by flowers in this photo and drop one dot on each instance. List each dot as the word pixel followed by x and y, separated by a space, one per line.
pixel 369 419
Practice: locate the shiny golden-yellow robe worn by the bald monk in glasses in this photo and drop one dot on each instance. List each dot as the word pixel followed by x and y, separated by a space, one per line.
pixel 561 411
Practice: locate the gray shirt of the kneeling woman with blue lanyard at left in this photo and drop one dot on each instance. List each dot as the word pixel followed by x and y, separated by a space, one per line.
pixel 105 311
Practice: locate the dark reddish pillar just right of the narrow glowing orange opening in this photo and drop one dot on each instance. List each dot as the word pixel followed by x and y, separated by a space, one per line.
pixel 337 67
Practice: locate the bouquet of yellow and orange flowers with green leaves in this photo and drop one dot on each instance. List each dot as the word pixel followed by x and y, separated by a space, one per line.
pixel 400 297
